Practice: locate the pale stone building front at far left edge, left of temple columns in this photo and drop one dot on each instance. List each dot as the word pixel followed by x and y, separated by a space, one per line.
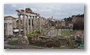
pixel 8 26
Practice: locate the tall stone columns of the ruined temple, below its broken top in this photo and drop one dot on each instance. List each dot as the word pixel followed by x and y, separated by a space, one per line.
pixel 26 24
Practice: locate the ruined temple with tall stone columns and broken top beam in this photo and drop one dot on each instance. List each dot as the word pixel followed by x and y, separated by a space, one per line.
pixel 29 22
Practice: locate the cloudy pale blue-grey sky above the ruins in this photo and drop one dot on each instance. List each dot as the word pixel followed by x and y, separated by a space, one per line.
pixel 47 10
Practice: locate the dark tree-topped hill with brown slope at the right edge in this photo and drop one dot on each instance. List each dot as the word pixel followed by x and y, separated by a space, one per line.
pixel 77 20
